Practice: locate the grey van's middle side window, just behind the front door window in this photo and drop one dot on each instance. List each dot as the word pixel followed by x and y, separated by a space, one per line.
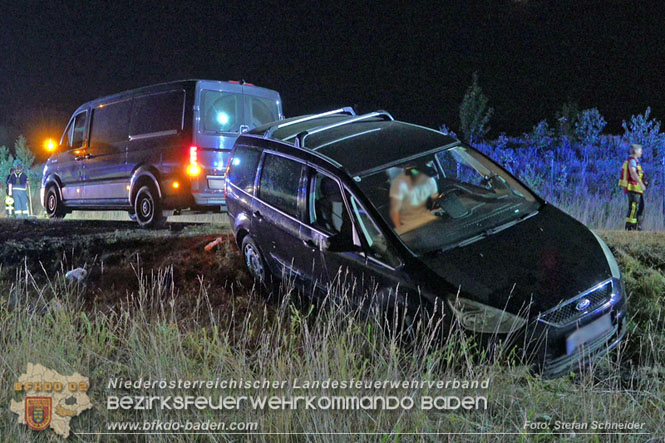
pixel 109 123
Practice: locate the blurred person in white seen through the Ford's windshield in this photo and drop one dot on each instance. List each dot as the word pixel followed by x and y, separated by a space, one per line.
pixel 410 193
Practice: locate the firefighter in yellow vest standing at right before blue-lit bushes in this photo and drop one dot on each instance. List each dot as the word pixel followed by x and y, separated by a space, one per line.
pixel 634 184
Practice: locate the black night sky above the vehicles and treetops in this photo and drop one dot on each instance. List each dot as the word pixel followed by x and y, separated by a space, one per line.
pixel 415 60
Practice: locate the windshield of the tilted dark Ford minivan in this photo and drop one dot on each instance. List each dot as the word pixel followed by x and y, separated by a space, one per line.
pixel 447 197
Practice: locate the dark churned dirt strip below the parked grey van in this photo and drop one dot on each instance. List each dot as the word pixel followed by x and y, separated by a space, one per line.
pixel 117 255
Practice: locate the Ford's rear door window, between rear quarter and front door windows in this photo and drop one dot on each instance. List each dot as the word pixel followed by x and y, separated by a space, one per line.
pixel 280 180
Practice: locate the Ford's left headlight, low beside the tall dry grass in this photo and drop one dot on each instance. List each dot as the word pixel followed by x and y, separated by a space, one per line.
pixel 481 318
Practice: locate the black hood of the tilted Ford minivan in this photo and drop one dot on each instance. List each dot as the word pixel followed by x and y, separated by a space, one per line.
pixel 540 262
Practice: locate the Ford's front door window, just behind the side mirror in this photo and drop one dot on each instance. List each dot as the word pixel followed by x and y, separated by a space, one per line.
pixel 326 206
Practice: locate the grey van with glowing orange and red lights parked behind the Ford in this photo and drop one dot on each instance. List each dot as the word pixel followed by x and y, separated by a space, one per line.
pixel 154 150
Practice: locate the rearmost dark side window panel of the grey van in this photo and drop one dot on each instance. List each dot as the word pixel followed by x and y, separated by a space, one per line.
pixel 159 112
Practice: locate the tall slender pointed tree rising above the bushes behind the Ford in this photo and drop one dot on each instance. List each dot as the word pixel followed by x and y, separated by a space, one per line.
pixel 474 113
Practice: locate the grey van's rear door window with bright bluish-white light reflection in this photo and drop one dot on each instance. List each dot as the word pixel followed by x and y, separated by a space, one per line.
pixel 220 111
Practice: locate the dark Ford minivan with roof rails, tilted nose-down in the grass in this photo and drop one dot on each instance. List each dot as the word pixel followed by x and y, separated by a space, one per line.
pixel 402 206
